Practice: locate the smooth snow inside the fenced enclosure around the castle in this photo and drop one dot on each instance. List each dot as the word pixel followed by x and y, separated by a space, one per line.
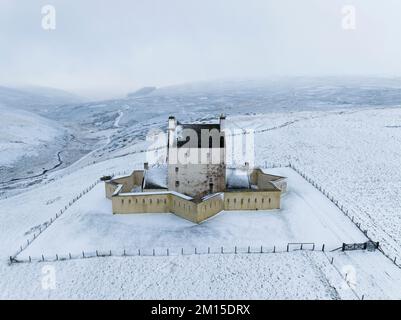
pixel 306 216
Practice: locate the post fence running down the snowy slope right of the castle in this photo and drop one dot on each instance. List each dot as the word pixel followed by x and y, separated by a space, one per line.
pixel 342 208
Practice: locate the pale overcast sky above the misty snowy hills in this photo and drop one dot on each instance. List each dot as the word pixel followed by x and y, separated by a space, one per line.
pixel 103 48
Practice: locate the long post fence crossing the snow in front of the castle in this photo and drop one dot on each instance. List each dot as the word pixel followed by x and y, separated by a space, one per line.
pixel 290 247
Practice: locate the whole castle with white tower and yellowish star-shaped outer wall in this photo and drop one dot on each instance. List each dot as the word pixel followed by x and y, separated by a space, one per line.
pixel 195 182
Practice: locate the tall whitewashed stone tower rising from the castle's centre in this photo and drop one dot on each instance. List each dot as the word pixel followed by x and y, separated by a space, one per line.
pixel 196 157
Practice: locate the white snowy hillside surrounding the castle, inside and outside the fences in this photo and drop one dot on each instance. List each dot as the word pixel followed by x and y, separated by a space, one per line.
pixel 353 153
